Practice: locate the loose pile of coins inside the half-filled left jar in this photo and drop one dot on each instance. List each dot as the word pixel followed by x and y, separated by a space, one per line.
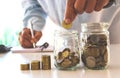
pixel 67 58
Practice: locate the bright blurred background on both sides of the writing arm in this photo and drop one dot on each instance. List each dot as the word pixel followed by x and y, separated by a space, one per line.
pixel 11 15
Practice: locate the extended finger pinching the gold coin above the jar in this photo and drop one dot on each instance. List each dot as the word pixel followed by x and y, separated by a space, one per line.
pixel 70 13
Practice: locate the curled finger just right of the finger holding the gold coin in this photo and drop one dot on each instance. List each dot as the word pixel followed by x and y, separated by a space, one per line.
pixel 79 6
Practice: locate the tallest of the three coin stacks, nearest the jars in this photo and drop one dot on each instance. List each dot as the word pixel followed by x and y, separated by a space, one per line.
pixel 46 62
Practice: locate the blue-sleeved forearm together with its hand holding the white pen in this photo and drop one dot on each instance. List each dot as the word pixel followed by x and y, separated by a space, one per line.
pixel 34 12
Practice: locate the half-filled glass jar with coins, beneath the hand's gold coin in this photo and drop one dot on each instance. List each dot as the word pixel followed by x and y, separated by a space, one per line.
pixel 66 50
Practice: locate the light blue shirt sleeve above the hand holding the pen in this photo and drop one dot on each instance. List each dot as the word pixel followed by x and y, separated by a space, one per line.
pixel 33 11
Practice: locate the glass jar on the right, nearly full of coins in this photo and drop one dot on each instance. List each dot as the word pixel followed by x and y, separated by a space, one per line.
pixel 95 43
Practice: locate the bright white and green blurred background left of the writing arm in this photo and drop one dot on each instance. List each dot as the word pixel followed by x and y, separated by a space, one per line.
pixel 10 21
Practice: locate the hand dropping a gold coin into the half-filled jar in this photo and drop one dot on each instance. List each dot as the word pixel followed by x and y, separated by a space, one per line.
pixel 74 7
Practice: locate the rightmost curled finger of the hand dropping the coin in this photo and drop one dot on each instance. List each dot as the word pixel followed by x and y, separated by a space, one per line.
pixel 100 4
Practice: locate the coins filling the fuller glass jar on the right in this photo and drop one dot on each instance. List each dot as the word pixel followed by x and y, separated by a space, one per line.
pixel 95 51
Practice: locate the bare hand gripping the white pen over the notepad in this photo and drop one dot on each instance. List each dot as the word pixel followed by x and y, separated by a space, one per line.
pixel 26 40
